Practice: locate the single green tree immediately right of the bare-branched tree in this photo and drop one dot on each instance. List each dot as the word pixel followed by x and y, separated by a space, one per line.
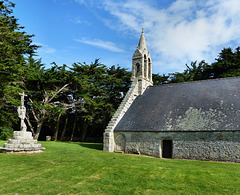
pixel 89 88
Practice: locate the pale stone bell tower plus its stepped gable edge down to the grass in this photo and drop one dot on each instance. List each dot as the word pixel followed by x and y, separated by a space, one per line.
pixel 141 79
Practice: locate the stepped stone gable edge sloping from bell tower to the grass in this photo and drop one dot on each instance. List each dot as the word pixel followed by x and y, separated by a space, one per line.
pixel 122 109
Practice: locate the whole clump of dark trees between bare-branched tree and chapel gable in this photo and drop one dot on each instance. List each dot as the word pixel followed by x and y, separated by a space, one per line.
pixel 98 91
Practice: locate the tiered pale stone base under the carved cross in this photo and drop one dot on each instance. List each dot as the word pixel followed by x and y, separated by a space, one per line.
pixel 22 143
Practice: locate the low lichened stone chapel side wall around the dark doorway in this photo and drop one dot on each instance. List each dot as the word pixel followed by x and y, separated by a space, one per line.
pixel 215 146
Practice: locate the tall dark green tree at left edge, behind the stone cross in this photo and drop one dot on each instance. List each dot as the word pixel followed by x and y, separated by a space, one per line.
pixel 15 45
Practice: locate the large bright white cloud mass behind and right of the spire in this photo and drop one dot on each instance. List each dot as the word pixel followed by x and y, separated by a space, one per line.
pixel 186 31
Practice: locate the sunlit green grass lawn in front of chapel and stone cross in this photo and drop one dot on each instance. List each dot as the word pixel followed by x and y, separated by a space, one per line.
pixel 83 168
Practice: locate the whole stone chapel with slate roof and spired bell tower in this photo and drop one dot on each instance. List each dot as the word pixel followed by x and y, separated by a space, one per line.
pixel 194 120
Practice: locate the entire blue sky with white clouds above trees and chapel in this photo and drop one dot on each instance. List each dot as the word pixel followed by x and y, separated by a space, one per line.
pixel 176 31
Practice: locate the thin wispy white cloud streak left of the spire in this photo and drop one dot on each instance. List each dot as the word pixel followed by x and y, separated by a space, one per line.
pixel 102 44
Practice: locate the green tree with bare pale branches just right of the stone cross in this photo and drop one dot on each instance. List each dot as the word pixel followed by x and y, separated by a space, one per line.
pixel 47 91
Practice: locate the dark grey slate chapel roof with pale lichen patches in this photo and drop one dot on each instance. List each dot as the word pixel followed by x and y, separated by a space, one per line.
pixel 209 105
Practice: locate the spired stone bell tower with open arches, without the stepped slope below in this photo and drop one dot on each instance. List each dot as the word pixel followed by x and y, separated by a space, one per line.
pixel 142 66
